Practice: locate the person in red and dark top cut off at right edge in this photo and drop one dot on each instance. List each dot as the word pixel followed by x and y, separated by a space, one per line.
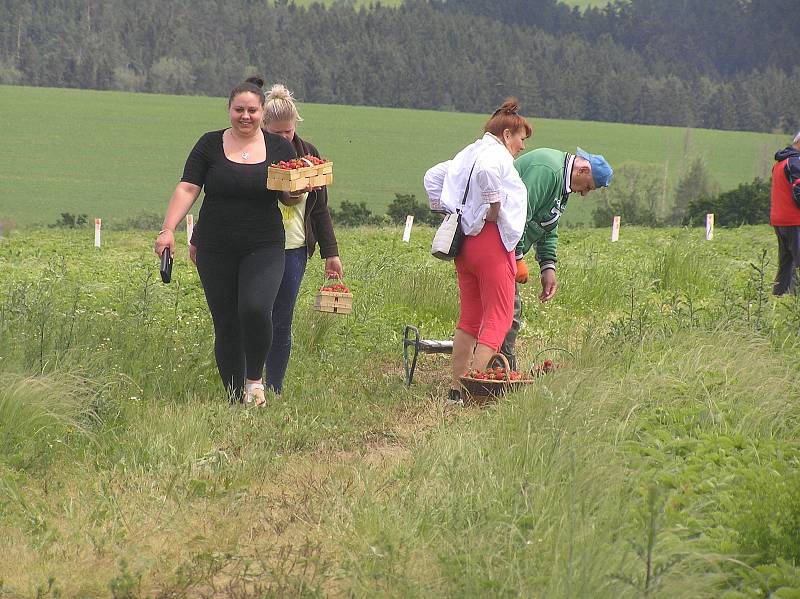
pixel 784 214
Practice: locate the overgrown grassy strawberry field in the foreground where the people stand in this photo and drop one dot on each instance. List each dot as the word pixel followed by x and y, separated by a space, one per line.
pixel 660 461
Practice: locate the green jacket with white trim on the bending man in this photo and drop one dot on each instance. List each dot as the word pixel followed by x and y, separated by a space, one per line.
pixel 544 172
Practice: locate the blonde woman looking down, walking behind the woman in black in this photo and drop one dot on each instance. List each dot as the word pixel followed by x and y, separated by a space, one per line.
pixel 307 224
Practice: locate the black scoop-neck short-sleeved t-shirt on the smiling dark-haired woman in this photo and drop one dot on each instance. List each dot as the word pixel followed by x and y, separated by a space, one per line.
pixel 239 213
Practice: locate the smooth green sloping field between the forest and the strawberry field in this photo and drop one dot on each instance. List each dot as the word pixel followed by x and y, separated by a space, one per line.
pixel 112 154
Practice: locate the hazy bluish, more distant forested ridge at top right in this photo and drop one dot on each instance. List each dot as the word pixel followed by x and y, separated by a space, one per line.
pixel 697 37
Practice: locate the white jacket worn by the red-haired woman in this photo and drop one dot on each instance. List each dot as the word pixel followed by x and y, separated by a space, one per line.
pixel 494 179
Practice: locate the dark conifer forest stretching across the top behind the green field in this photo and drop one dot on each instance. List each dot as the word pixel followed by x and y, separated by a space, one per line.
pixel 724 64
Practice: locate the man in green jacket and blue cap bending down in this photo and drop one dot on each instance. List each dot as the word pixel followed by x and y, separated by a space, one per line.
pixel 550 176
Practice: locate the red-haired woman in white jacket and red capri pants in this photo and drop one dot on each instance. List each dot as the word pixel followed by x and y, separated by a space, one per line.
pixel 492 217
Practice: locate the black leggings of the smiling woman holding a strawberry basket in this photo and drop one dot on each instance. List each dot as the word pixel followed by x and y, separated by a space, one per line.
pixel 240 291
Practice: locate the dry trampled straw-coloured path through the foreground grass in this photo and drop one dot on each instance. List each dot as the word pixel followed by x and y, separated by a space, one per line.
pixel 285 538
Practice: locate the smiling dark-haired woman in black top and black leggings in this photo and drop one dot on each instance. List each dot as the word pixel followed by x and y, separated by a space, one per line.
pixel 239 236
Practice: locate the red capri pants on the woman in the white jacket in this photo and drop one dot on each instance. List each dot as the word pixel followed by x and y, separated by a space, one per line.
pixel 486 274
